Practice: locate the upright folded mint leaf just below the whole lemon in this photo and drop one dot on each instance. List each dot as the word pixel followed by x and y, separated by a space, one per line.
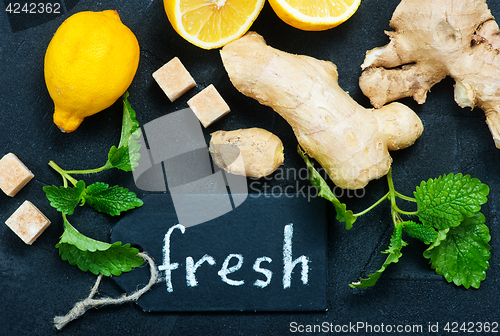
pixel 126 155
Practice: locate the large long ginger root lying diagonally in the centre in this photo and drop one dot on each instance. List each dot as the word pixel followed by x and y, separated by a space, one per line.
pixel 349 141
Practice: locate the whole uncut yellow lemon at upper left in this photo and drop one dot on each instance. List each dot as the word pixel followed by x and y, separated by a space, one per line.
pixel 89 63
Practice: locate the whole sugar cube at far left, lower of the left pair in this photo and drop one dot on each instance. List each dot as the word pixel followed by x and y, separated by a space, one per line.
pixel 28 222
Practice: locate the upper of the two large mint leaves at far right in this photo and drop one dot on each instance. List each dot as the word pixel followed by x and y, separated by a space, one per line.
pixel 445 201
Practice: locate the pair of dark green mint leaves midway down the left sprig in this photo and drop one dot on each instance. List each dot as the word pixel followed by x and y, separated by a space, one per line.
pixel 111 200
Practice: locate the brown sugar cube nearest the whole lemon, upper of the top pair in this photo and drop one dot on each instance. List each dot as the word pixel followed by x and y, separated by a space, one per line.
pixel 174 79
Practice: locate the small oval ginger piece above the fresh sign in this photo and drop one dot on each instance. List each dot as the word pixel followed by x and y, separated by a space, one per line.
pixel 253 152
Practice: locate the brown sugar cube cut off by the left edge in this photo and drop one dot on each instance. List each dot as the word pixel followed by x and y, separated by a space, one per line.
pixel 13 174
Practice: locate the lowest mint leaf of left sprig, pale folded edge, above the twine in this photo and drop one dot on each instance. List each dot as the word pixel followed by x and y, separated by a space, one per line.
pixel 96 256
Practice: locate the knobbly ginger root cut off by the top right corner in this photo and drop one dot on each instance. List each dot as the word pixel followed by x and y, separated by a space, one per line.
pixel 433 39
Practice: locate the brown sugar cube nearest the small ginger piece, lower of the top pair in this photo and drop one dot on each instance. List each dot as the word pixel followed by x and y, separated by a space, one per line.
pixel 208 105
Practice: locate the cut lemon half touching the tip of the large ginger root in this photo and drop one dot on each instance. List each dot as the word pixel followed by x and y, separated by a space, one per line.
pixel 211 24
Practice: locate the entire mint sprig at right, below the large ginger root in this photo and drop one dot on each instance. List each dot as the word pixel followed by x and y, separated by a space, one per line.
pixel 450 222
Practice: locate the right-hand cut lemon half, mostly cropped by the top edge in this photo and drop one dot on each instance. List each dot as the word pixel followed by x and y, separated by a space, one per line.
pixel 314 14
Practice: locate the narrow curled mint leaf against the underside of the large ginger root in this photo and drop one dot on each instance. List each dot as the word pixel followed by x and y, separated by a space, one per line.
pixel 343 215
